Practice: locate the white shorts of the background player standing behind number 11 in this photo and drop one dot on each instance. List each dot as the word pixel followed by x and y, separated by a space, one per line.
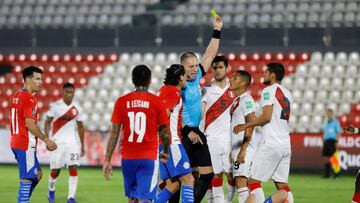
pixel 65 155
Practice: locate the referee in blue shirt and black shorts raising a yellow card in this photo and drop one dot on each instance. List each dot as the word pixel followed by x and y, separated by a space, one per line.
pixel 193 139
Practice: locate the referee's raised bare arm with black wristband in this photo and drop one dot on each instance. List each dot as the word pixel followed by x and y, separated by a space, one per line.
pixel 213 47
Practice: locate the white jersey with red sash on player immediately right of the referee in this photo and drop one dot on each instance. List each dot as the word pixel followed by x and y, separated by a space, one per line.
pixel 216 117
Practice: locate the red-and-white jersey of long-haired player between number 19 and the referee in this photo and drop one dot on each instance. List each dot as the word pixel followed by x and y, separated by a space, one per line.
pixel 171 96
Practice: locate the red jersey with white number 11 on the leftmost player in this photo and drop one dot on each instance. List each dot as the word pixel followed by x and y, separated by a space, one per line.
pixel 22 105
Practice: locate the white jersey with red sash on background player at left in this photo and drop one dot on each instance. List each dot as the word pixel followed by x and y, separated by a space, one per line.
pixel 64 124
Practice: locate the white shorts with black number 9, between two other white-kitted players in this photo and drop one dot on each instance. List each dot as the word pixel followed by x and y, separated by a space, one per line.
pixel 243 169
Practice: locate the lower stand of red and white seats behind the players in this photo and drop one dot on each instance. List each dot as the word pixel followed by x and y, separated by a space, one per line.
pixel 317 81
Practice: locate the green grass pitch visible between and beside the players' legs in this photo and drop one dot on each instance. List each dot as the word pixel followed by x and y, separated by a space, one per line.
pixel 93 188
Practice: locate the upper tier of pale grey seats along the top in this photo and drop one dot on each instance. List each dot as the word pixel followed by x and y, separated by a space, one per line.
pixel 258 13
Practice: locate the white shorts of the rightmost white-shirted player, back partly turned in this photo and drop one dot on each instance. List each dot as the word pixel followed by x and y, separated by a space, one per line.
pixel 271 162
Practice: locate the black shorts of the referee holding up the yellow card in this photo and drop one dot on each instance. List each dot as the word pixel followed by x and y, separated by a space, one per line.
pixel 198 153
